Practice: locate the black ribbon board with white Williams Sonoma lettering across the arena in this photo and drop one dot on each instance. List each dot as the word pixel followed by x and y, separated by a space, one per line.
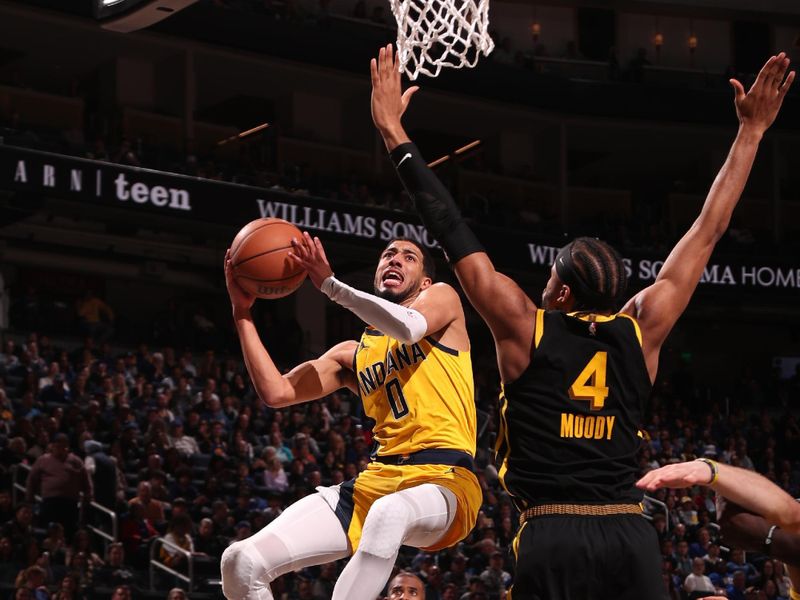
pixel 192 198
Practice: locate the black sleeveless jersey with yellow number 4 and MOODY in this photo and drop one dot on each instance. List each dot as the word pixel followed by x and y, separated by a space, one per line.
pixel 569 424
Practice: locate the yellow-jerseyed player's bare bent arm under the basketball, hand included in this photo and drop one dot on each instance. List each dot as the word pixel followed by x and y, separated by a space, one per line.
pixel 308 381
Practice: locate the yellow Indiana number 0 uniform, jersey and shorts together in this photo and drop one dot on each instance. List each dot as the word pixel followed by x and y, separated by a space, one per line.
pixel 421 398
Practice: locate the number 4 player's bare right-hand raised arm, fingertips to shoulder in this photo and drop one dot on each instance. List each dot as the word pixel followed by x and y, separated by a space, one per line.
pixel 659 306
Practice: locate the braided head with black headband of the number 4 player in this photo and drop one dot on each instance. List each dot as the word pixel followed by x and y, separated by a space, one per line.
pixel 587 275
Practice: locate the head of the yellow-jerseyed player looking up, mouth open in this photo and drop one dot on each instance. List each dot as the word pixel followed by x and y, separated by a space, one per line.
pixel 404 269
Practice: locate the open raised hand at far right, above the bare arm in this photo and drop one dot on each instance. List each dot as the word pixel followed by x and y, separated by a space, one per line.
pixel 759 106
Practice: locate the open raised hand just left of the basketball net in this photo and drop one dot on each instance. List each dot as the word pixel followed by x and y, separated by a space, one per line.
pixel 389 102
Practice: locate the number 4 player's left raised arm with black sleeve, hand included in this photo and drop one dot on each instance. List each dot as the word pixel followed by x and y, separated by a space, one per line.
pixel 503 305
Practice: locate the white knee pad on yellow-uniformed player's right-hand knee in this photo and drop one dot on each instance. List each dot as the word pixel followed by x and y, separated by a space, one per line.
pixel 385 527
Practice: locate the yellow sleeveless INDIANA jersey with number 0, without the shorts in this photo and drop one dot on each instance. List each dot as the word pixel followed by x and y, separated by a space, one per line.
pixel 420 395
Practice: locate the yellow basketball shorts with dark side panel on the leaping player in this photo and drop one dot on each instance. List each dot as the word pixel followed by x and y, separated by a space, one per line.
pixel 377 480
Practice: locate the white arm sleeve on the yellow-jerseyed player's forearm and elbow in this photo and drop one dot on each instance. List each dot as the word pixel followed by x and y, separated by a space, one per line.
pixel 403 324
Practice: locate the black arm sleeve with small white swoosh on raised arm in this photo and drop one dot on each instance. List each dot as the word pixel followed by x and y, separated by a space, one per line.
pixel 434 204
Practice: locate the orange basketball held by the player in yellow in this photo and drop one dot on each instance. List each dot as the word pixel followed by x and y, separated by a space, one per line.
pixel 260 258
